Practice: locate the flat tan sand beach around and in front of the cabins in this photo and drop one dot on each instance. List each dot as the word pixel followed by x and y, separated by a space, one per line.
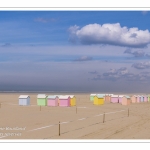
pixel 86 121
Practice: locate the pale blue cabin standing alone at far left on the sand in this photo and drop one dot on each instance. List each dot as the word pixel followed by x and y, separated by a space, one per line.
pixel 24 100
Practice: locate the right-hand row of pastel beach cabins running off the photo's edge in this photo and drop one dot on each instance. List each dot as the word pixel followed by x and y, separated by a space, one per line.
pixel 99 99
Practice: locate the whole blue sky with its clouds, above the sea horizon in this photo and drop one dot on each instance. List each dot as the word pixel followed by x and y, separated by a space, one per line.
pixel 77 51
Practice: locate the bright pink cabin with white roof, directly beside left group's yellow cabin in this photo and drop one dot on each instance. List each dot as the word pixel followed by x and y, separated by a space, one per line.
pixel 64 101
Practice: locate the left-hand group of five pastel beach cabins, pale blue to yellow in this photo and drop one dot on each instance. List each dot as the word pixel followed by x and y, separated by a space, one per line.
pixel 51 100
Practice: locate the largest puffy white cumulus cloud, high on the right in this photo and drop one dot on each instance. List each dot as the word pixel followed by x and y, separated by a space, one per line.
pixel 110 34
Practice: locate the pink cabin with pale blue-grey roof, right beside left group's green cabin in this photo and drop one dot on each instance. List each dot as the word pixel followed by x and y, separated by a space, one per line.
pixel 52 100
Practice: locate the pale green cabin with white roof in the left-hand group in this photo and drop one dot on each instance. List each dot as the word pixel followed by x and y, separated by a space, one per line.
pixel 41 100
